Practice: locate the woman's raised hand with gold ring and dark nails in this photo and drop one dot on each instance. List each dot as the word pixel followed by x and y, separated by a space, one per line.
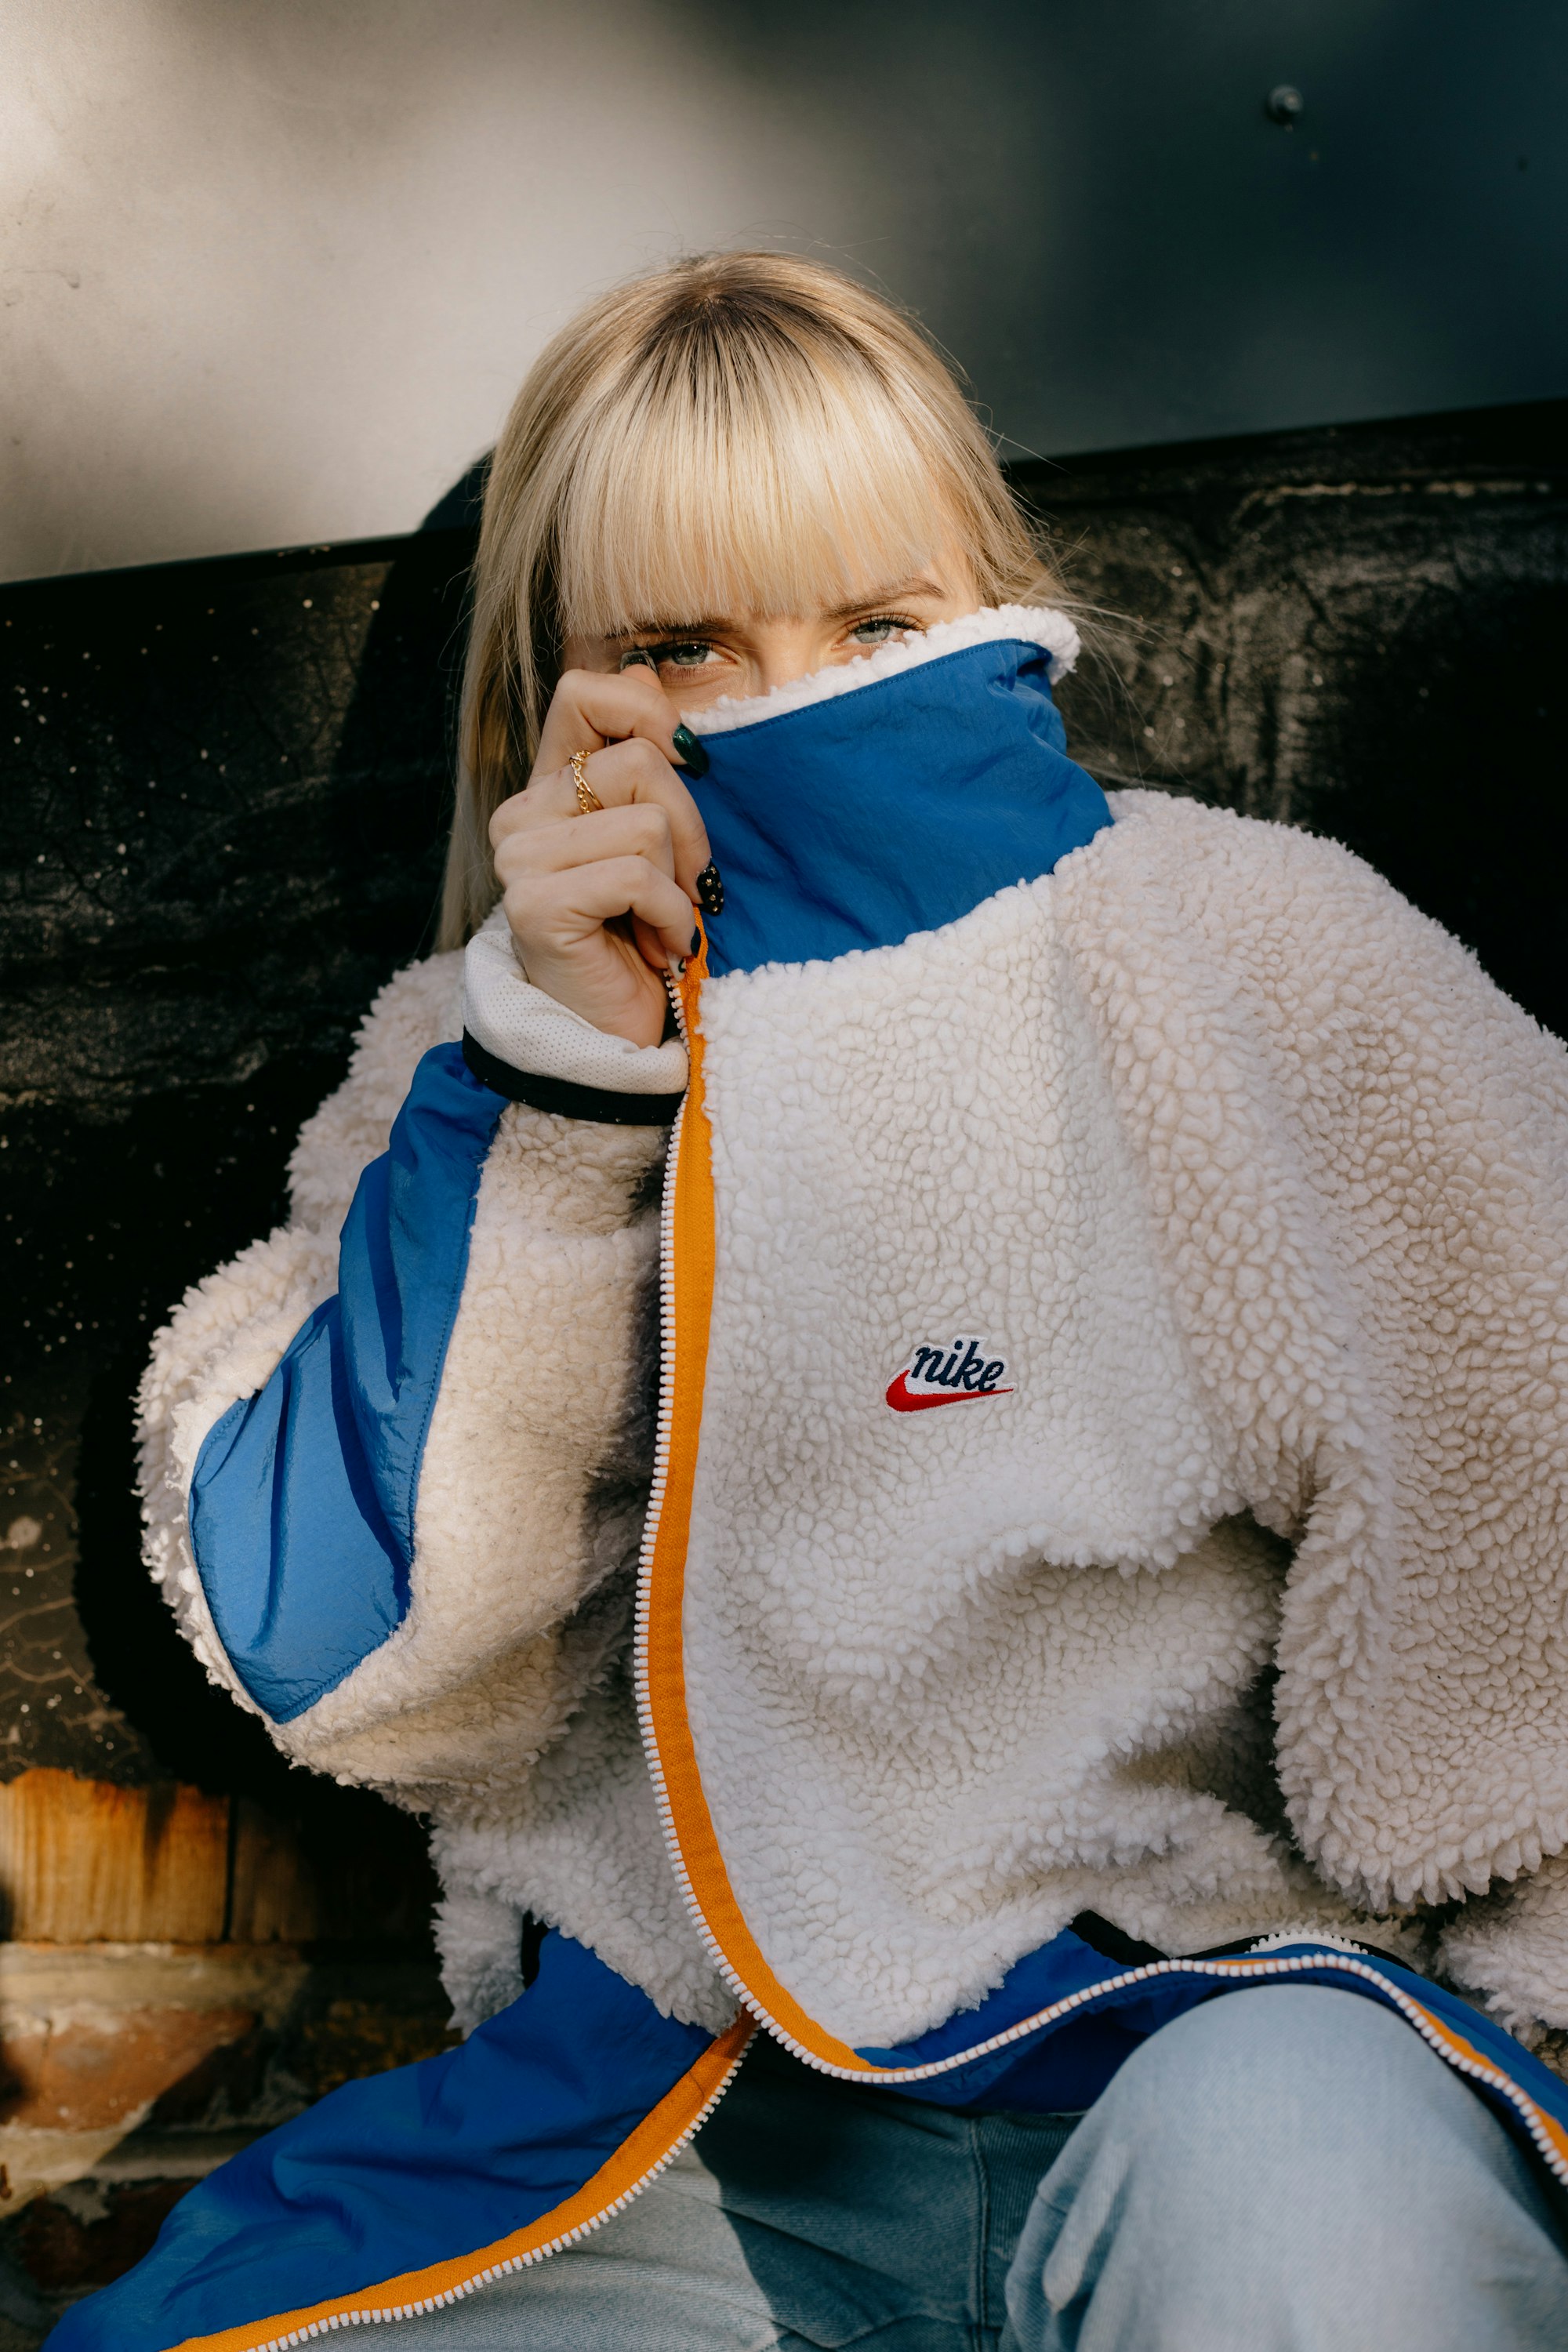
pixel 601 907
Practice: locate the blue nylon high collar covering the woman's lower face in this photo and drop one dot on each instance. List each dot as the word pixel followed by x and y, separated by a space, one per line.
pixel 890 810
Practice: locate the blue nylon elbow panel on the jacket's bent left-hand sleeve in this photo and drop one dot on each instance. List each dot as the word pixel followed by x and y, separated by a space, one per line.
pixel 302 1506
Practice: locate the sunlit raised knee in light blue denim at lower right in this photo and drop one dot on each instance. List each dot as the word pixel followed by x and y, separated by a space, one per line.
pixel 1289 2167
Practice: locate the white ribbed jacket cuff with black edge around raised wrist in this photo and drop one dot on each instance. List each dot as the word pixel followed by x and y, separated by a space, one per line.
pixel 532 1050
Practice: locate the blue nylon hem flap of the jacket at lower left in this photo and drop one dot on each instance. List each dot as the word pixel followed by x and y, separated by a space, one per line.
pixel 406 2170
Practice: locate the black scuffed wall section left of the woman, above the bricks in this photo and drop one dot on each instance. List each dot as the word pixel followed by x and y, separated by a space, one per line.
pixel 220 831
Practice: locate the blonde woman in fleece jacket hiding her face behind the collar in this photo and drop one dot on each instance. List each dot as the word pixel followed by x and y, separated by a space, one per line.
pixel 925 1415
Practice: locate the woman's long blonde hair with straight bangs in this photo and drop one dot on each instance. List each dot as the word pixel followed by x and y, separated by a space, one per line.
pixel 732 434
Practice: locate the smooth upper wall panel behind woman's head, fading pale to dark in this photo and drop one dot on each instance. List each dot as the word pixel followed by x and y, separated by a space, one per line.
pixel 272 269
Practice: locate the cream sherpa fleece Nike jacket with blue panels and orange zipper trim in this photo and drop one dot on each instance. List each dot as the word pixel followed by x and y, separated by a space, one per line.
pixel 1043 1497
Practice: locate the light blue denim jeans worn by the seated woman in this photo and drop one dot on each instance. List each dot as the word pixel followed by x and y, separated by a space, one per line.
pixel 1287 2170
